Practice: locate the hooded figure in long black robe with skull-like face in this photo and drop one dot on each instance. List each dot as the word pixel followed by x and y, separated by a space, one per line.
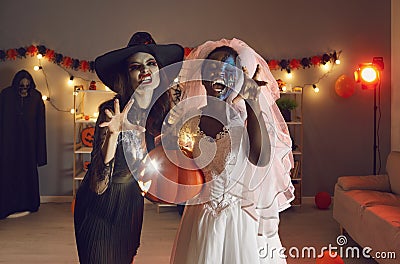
pixel 22 145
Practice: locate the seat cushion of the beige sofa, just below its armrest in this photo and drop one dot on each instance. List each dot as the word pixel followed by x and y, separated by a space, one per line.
pixel 366 198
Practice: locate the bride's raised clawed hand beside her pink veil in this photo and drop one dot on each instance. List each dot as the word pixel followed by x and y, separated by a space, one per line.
pixel 251 86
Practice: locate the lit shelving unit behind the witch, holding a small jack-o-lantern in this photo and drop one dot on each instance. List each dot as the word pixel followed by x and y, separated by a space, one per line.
pixel 86 103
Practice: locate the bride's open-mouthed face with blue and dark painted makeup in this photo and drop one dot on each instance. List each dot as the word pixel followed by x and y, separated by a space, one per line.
pixel 220 75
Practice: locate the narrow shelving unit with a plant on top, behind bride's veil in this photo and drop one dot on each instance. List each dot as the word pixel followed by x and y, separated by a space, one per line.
pixel 296 132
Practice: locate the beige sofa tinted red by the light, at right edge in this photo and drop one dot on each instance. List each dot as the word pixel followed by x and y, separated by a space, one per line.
pixel 368 208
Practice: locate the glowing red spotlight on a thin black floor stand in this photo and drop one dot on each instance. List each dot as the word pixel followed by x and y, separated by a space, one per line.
pixel 369 75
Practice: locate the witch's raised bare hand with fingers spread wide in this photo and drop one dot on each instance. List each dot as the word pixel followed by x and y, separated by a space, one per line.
pixel 118 121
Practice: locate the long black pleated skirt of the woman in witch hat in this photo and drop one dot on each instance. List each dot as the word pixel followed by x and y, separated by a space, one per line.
pixel 108 226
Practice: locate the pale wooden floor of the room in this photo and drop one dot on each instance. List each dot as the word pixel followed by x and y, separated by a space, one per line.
pixel 48 236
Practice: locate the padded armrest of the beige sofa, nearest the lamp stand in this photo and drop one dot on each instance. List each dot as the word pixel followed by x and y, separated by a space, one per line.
pixel 369 182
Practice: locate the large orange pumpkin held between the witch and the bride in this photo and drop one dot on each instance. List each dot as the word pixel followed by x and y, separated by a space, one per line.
pixel 169 181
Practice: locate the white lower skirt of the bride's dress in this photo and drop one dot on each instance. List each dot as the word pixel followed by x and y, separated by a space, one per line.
pixel 229 237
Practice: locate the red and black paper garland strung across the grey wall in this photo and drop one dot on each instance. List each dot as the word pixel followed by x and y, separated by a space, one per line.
pixel 84 65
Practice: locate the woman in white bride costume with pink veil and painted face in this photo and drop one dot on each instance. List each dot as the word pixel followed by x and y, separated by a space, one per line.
pixel 242 144
